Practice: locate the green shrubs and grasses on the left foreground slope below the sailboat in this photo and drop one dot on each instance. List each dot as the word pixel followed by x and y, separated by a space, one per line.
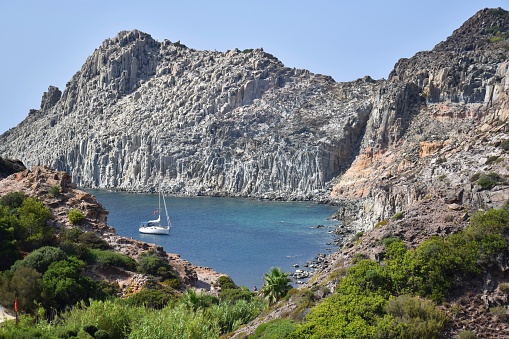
pixel 44 268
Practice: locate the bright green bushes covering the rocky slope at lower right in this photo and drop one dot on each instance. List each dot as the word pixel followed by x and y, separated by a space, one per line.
pixel 397 297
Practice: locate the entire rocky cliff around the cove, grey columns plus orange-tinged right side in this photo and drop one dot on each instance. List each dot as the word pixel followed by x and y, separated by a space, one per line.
pixel 239 123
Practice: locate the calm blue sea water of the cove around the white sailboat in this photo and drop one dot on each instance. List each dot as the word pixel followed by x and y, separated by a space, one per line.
pixel 240 237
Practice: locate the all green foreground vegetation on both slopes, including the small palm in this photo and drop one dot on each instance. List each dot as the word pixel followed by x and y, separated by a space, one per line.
pixel 396 297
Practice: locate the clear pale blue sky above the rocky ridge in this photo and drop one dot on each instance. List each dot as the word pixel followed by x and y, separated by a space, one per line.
pixel 44 42
